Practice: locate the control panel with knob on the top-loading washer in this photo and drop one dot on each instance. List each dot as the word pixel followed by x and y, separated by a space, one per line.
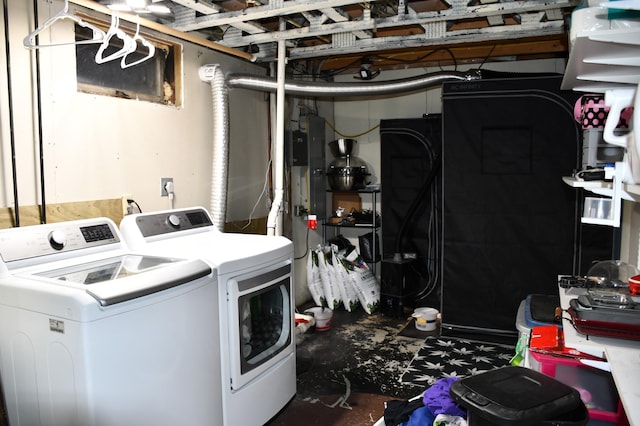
pixel 41 240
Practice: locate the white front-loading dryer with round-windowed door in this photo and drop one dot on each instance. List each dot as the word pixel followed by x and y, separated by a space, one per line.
pixel 257 317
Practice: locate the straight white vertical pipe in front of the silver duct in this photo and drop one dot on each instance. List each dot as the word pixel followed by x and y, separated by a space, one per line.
pixel 274 220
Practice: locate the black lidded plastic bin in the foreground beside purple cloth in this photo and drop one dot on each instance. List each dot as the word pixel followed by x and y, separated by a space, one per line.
pixel 518 396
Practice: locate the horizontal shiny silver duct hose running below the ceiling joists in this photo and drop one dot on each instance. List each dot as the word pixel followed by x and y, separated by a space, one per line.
pixel 325 89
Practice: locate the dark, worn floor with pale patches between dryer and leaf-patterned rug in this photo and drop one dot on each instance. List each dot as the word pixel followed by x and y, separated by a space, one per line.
pixel 346 374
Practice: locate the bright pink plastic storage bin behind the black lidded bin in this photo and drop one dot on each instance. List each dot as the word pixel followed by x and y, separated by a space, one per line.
pixel 596 387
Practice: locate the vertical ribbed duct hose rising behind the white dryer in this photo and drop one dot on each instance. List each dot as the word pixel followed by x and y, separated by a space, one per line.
pixel 220 150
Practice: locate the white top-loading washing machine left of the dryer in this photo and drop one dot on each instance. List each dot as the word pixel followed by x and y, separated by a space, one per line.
pixel 91 334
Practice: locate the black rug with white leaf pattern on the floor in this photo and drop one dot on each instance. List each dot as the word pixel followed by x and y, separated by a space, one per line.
pixel 450 357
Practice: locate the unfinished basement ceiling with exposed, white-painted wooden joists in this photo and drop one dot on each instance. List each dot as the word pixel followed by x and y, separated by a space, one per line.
pixel 335 36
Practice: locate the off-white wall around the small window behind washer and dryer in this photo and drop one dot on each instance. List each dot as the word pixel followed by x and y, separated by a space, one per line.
pixel 100 147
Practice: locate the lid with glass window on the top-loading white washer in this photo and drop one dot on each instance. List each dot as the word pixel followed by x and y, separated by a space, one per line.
pixel 118 279
